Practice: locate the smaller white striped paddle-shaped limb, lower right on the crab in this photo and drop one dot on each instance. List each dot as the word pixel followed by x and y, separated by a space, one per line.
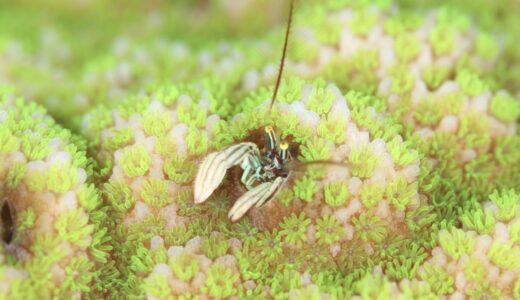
pixel 259 194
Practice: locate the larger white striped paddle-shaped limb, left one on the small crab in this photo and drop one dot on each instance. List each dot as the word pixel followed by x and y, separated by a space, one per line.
pixel 214 166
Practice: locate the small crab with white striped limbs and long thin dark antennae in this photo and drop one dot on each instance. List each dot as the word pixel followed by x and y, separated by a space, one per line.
pixel 264 170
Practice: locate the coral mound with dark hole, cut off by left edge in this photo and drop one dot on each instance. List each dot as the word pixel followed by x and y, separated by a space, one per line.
pixel 53 239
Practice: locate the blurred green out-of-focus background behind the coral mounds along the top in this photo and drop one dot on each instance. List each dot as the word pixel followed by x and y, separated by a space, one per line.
pixel 69 55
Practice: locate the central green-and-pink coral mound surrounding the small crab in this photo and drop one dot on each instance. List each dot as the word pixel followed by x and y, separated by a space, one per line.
pixel 165 244
